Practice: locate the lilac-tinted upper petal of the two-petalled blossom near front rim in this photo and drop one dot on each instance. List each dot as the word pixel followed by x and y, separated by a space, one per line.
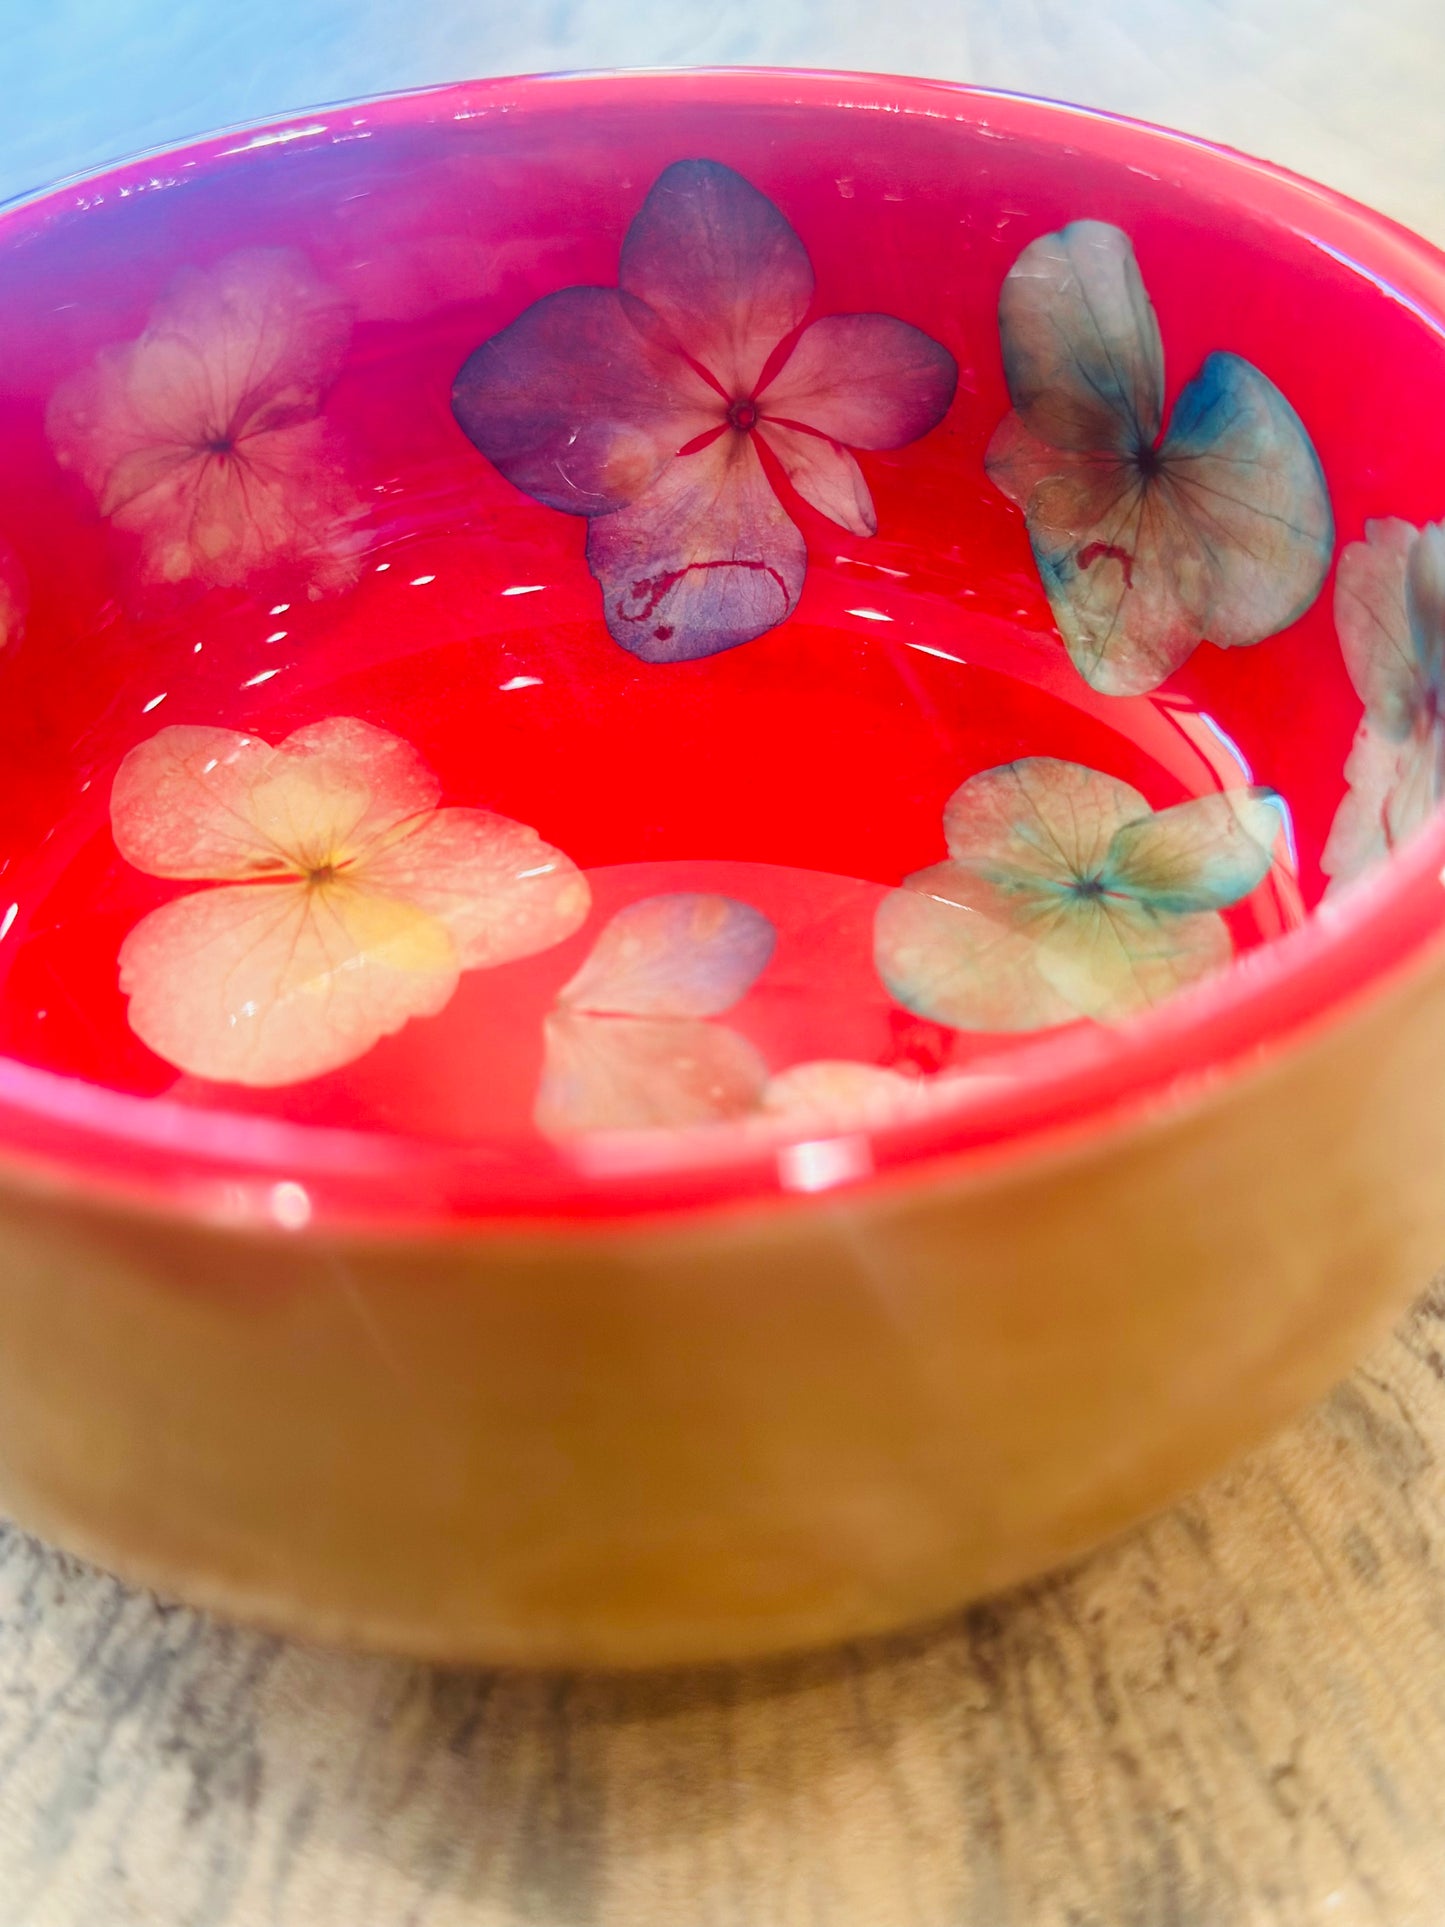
pixel 685 955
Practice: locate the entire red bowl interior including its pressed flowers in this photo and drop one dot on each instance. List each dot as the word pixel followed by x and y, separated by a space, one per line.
pixel 612 720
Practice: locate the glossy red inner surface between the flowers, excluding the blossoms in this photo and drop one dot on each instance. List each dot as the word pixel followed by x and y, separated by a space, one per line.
pixel 804 772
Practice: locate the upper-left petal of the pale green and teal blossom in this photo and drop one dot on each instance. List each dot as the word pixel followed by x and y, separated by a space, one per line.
pixel 1038 822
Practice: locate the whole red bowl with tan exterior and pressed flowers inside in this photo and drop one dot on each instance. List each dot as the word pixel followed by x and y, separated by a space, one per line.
pixel 720 891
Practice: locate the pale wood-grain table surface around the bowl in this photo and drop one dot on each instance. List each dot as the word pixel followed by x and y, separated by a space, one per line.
pixel 1236 1718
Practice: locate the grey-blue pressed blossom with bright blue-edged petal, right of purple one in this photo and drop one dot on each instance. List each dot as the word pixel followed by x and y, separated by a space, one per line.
pixel 1147 542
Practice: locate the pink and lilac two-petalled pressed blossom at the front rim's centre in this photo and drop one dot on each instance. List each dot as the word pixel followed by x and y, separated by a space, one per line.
pixel 631 1045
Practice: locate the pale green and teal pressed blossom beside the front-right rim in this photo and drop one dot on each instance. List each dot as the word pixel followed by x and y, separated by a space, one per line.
pixel 1066 897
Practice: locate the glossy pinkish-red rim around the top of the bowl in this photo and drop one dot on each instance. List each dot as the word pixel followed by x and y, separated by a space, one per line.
pixel 273 1176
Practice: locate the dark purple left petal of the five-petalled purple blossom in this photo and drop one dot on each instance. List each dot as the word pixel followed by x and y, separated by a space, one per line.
pixel 579 402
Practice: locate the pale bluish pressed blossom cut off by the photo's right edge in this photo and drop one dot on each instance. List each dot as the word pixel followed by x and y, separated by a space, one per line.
pixel 1390 612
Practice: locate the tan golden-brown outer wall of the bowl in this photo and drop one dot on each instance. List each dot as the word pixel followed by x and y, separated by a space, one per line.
pixel 733 1433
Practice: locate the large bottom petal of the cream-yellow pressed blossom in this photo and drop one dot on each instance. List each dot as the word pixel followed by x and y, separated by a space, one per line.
pixel 275 984
